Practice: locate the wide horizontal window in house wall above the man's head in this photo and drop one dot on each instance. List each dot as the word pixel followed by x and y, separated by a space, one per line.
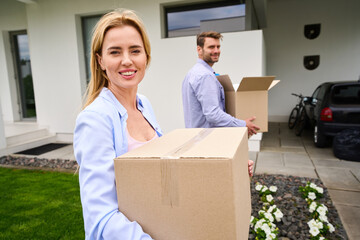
pixel 191 19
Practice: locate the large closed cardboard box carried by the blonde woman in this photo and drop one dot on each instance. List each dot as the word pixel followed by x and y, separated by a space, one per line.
pixel 189 184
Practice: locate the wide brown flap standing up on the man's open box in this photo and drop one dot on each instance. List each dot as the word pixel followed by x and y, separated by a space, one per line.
pixel 255 83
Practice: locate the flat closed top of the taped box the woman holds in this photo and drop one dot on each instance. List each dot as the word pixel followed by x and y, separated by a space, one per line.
pixel 191 143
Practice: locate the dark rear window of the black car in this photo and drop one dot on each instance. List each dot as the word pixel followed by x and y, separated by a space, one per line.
pixel 346 94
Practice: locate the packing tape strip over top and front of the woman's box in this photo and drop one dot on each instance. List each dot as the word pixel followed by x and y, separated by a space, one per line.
pixel 169 170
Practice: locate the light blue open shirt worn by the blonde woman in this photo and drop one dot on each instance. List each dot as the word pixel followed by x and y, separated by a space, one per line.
pixel 99 137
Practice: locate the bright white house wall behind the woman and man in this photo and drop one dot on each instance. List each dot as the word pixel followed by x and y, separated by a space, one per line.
pixel 59 71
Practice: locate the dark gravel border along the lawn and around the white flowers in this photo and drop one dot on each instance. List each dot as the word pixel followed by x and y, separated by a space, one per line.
pixel 287 198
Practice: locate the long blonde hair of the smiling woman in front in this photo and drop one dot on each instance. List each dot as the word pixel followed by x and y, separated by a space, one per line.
pixel 116 18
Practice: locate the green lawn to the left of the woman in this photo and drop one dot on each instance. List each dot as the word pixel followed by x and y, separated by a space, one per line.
pixel 39 205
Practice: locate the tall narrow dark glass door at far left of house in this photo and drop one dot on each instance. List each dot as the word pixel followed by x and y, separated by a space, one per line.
pixel 22 63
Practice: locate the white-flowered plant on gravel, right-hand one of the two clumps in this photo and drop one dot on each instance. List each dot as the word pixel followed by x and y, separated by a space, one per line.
pixel 319 224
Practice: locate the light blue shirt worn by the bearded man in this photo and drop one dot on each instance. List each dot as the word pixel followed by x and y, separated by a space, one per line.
pixel 204 99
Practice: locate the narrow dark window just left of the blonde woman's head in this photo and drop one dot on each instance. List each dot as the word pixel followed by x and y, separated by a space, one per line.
pixel 87 24
